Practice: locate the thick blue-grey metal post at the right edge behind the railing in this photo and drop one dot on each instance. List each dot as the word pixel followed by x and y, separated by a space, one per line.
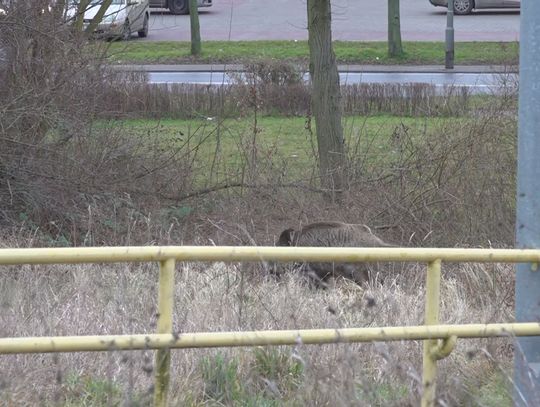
pixel 527 354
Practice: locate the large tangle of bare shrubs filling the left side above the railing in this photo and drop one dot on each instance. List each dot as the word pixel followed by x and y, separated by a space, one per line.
pixel 63 169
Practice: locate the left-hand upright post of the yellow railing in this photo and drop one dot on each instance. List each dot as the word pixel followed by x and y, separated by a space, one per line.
pixel 164 325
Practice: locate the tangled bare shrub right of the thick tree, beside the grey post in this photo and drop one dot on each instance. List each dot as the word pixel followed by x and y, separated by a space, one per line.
pixel 453 184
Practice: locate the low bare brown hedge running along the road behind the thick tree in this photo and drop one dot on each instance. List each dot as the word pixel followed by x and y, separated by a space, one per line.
pixel 278 88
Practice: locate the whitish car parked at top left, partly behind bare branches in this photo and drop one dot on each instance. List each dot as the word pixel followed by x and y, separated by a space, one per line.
pixel 121 19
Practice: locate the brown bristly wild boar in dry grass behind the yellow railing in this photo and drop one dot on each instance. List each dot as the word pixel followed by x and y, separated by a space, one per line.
pixel 333 234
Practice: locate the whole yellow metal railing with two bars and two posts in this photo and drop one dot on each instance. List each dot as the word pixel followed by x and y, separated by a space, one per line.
pixel 439 340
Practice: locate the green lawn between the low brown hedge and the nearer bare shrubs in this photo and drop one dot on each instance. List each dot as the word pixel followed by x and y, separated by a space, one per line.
pixel 224 147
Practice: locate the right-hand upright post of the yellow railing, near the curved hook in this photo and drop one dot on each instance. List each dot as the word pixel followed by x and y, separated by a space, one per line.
pixel 433 284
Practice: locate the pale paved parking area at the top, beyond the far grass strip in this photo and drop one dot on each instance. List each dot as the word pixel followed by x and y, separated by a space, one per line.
pixel 353 20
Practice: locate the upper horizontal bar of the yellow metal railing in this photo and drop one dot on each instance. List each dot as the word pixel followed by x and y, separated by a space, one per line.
pixel 245 253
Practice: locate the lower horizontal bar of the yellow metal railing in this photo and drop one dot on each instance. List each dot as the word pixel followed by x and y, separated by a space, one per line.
pixel 261 338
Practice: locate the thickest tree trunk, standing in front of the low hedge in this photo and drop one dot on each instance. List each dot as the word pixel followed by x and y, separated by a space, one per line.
pixel 326 97
